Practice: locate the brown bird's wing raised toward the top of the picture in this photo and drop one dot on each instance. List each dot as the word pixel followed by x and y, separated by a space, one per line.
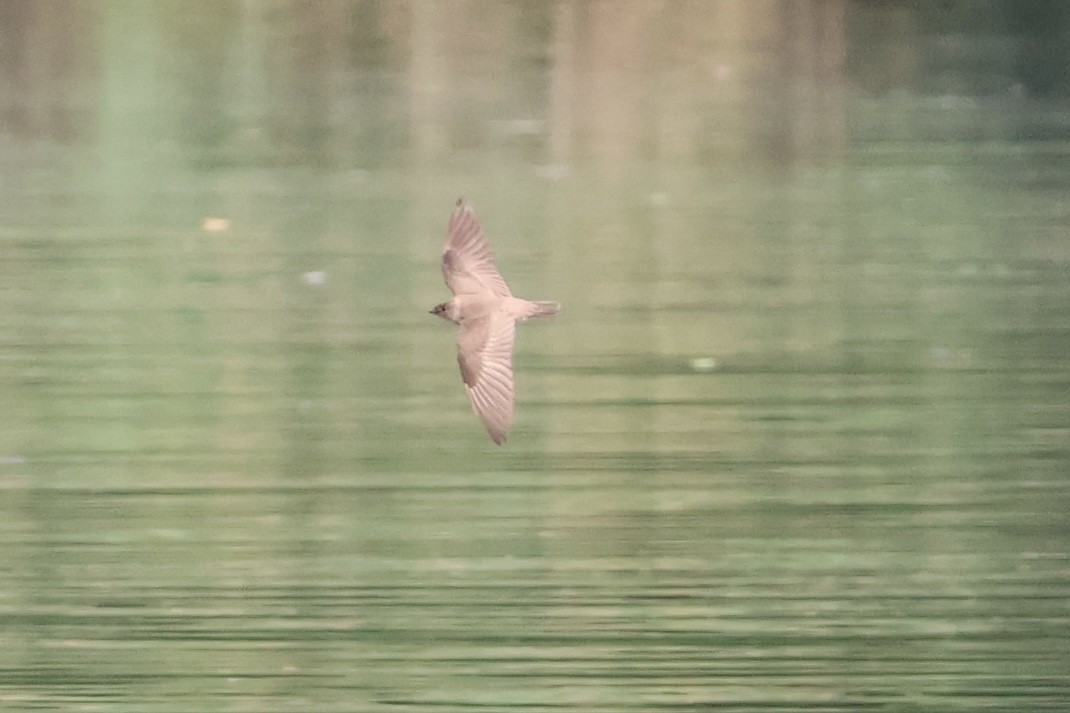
pixel 468 264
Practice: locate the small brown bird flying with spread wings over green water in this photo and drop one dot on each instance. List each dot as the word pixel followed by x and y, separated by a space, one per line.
pixel 486 314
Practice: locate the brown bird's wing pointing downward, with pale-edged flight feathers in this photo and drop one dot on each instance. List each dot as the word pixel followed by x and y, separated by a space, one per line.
pixel 485 353
